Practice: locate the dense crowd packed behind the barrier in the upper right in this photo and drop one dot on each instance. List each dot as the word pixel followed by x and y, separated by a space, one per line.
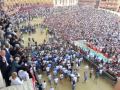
pixel 98 27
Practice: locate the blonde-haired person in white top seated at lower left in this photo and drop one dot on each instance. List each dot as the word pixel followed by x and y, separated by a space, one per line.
pixel 15 80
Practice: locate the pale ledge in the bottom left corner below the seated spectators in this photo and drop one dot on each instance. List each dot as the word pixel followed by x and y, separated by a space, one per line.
pixel 27 85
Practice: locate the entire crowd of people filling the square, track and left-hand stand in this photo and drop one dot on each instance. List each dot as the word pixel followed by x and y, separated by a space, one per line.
pixel 60 57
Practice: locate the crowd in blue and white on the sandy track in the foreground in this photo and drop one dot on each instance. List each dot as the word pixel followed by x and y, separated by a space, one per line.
pixel 60 60
